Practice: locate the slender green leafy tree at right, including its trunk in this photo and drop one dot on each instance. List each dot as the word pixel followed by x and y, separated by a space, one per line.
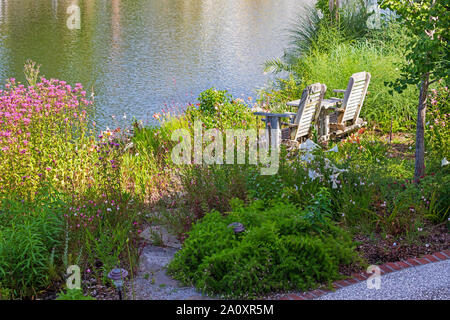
pixel 427 56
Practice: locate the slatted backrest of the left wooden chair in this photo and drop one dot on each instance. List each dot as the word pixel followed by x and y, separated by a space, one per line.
pixel 309 104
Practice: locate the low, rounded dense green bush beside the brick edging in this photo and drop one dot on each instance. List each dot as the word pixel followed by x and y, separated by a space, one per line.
pixel 281 248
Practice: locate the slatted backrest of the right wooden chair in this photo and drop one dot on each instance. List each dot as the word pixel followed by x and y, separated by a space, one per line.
pixel 354 95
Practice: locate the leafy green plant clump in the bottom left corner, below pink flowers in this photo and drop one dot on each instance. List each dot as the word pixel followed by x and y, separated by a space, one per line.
pixel 30 242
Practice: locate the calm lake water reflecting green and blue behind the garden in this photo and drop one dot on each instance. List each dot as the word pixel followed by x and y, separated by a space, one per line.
pixel 143 56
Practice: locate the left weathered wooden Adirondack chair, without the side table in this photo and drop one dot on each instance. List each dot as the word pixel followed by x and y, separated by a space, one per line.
pixel 308 108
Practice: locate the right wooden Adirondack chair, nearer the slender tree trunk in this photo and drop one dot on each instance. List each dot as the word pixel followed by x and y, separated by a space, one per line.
pixel 345 117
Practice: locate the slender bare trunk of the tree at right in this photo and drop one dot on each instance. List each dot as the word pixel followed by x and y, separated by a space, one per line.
pixel 420 130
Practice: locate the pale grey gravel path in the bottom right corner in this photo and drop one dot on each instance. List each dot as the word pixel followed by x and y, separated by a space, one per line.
pixel 426 282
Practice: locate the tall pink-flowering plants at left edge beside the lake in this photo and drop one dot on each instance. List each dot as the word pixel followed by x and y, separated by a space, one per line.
pixel 44 135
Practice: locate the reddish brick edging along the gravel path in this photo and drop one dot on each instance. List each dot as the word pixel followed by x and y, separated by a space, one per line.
pixel 359 277
